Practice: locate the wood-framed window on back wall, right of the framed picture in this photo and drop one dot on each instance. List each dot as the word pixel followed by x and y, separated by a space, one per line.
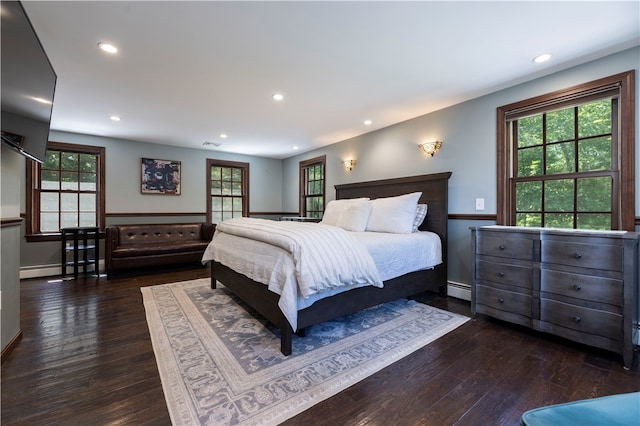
pixel 227 190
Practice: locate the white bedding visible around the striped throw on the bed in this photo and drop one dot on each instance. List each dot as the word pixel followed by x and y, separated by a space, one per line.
pixel 393 254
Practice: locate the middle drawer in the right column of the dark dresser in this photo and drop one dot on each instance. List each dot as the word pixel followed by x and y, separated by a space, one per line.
pixel 583 287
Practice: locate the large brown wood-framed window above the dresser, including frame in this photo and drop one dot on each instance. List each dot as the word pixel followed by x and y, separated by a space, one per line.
pixel 565 160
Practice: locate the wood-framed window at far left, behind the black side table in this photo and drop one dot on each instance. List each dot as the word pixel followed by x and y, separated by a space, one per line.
pixel 67 190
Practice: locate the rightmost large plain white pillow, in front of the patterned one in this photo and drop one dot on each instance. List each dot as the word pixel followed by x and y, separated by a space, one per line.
pixel 394 214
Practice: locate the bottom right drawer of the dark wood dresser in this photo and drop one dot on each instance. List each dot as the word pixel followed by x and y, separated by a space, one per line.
pixel 581 319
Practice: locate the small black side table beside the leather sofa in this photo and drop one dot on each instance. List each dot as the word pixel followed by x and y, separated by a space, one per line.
pixel 83 244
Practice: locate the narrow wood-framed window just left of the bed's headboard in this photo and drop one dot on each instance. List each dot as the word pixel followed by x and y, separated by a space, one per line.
pixel 312 187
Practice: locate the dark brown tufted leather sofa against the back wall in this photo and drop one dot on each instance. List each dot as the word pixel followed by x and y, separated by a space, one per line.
pixel 139 246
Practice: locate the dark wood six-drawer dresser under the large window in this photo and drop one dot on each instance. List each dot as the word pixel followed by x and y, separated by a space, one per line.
pixel 580 285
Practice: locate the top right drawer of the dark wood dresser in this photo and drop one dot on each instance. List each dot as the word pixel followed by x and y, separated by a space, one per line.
pixel 594 256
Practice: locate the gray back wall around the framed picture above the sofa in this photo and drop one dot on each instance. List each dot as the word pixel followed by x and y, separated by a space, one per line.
pixel 123 194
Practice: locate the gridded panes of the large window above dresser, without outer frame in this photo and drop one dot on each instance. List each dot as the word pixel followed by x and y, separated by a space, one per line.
pixel 563 175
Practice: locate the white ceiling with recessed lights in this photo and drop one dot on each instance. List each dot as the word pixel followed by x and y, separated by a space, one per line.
pixel 188 71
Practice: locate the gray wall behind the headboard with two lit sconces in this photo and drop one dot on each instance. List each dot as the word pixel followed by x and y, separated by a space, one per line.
pixel 468 132
